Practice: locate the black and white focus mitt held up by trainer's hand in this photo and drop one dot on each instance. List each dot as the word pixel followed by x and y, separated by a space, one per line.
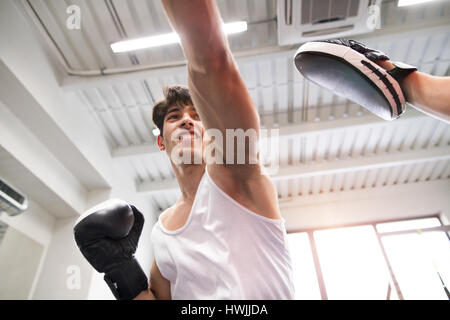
pixel 348 68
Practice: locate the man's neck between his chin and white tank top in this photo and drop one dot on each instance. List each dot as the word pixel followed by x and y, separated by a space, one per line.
pixel 188 177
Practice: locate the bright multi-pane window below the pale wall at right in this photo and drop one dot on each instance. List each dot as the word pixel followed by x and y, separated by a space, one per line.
pixel 355 262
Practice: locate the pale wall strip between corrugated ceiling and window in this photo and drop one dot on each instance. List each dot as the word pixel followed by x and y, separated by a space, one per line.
pixel 370 205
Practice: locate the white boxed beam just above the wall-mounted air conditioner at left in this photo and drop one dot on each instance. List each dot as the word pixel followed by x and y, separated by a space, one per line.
pixel 36 171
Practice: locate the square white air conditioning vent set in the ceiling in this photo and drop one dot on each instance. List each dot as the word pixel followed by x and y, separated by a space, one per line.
pixel 305 20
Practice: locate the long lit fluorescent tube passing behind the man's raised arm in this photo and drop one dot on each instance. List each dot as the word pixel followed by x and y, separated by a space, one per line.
pixel 168 38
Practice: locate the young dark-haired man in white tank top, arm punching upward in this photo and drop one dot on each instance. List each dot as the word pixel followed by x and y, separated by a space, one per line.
pixel 224 238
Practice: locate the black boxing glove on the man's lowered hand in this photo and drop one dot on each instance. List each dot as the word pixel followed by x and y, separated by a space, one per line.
pixel 108 235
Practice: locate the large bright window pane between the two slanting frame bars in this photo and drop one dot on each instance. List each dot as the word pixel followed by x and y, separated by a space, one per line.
pixel 352 263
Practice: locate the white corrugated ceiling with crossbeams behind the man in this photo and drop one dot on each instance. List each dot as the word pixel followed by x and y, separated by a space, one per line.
pixel 327 144
